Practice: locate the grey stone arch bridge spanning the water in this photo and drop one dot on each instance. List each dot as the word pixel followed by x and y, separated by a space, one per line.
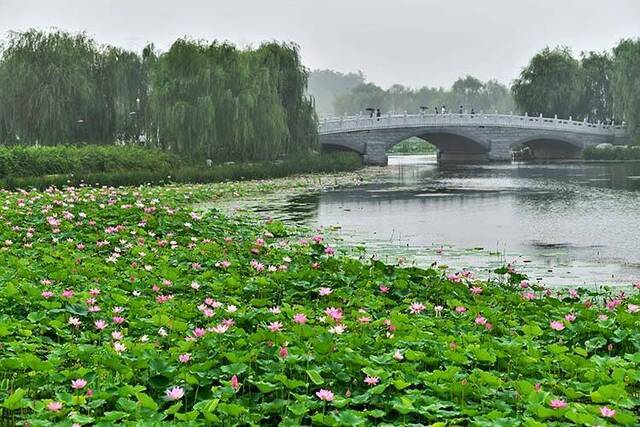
pixel 466 137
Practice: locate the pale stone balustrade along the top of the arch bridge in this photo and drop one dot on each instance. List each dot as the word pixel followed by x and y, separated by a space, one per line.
pixel 355 123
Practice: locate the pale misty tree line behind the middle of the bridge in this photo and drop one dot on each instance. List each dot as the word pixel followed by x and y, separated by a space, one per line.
pixel 468 92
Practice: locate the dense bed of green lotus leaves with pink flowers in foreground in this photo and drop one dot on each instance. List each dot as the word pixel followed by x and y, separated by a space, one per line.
pixel 130 307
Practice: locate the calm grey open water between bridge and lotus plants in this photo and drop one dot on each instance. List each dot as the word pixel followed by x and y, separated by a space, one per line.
pixel 563 224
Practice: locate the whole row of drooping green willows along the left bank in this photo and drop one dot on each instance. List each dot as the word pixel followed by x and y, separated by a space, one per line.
pixel 197 99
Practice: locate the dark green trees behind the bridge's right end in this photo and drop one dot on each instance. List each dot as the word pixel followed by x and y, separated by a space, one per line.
pixel 598 86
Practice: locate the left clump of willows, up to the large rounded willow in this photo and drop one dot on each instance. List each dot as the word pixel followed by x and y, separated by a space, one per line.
pixel 58 88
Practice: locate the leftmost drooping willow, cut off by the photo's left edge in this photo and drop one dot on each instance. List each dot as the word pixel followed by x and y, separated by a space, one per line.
pixel 48 88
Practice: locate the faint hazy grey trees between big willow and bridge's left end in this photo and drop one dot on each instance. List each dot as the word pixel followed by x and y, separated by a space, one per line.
pixel 326 85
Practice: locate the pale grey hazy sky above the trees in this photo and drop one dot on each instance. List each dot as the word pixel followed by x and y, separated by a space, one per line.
pixel 411 42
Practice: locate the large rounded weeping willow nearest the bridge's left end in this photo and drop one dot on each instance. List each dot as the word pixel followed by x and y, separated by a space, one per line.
pixel 213 100
